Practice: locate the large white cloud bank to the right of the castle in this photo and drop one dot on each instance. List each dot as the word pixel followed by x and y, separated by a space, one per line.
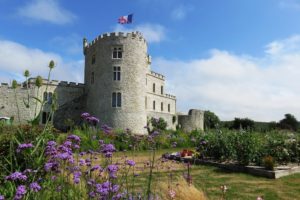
pixel 232 85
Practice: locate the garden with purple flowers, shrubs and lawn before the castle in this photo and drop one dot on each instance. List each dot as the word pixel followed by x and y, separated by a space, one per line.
pixel 94 161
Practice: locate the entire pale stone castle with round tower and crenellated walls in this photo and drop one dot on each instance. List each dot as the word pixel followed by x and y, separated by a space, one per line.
pixel 119 88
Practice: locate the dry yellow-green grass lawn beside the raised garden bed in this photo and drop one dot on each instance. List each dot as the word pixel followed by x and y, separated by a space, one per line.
pixel 209 179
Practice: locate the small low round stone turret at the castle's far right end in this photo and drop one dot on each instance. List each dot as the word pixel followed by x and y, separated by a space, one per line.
pixel 193 121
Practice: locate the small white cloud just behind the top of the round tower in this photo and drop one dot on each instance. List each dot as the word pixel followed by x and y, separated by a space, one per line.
pixel 152 32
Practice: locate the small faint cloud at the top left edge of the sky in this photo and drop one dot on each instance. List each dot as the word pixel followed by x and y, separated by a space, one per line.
pixel 46 10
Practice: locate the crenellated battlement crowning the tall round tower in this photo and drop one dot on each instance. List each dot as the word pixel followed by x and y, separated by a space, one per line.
pixel 133 35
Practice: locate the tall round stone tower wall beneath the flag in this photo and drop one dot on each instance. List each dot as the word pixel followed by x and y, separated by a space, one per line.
pixel 134 66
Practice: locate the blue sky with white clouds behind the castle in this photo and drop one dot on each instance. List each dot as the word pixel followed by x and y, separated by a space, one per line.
pixel 236 58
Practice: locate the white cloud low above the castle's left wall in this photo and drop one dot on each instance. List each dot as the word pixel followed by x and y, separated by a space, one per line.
pixel 15 58
